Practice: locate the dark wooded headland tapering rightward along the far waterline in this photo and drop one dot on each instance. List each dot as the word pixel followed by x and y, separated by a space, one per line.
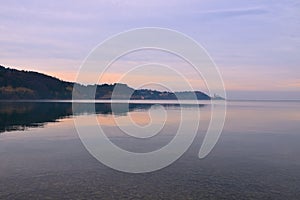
pixel 30 85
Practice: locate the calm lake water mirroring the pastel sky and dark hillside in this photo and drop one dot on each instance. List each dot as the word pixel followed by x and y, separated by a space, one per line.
pixel 256 157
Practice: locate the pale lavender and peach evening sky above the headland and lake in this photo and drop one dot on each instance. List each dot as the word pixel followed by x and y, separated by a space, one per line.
pixel 255 44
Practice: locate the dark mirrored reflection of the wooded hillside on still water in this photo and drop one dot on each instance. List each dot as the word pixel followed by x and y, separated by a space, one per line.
pixel 22 115
